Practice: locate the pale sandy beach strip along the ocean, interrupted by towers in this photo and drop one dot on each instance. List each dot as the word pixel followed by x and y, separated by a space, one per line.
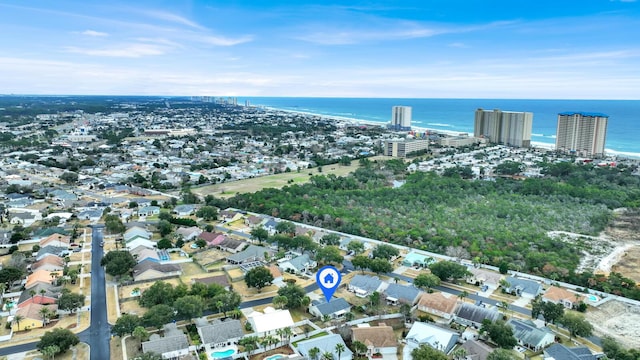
pixel 355 121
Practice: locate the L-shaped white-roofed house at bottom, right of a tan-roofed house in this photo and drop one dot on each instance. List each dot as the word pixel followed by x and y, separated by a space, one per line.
pixel 431 335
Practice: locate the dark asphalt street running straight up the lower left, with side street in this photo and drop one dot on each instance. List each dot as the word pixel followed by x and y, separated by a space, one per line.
pixel 99 332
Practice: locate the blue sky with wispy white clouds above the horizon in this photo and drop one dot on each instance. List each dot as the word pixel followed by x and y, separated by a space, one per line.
pixel 587 49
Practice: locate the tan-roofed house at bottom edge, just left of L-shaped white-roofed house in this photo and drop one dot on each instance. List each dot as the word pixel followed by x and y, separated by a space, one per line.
pixel 378 339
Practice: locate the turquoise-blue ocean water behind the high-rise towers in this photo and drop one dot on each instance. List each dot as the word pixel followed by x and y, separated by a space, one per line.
pixel 623 130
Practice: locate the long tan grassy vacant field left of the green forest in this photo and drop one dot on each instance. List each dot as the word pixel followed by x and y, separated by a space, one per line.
pixel 277 181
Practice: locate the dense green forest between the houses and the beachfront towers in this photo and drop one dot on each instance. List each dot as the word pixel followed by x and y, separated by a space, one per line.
pixel 497 222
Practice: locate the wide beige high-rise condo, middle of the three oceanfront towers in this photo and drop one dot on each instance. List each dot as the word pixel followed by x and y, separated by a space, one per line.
pixel 511 128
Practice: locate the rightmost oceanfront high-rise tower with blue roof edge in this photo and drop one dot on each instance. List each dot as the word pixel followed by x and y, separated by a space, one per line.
pixel 582 133
